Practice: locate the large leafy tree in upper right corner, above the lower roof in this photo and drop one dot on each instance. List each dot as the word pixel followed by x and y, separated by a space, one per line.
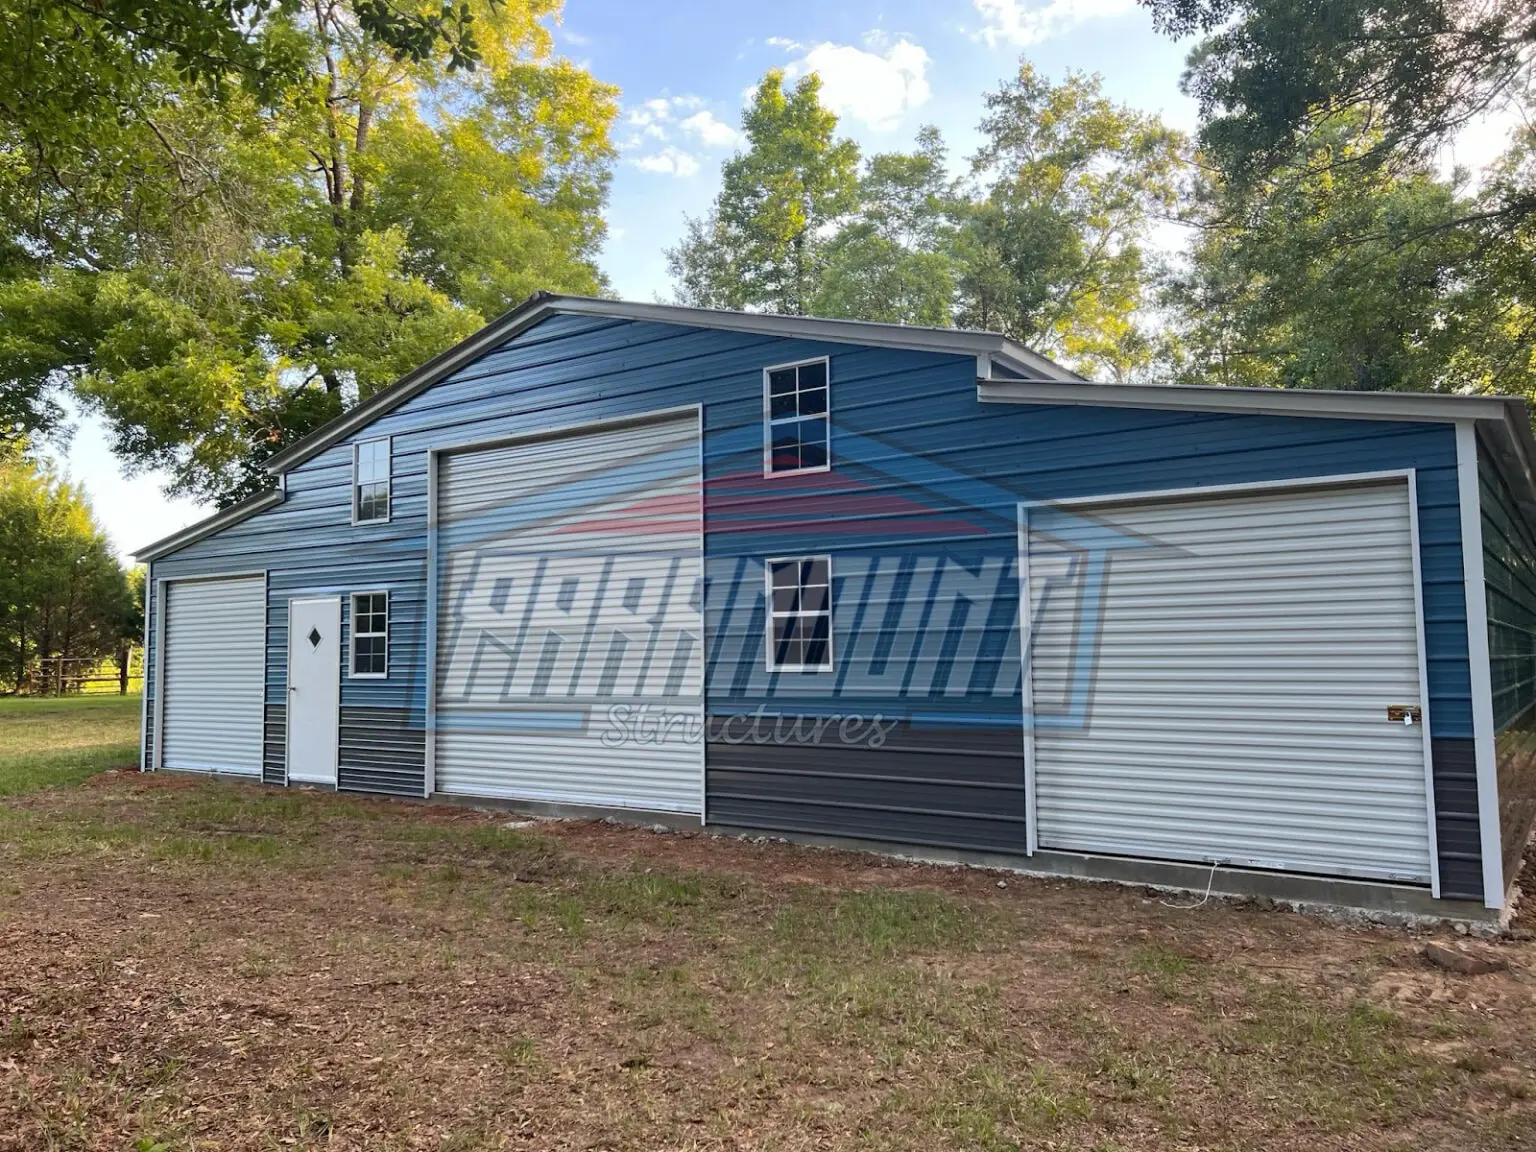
pixel 1382 276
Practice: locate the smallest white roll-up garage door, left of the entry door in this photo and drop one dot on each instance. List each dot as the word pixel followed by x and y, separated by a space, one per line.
pixel 214 675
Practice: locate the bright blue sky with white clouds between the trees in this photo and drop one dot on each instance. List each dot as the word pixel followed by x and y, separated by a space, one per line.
pixel 686 68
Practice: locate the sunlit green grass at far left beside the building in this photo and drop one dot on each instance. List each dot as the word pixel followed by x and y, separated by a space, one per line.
pixel 59 743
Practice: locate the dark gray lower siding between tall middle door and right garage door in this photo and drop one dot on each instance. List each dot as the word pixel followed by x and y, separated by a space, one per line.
pixel 955 787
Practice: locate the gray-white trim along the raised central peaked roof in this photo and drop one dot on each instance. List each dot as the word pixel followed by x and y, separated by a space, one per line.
pixel 543 305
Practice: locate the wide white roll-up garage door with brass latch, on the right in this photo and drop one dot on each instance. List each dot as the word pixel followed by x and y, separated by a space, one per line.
pixel 1211 681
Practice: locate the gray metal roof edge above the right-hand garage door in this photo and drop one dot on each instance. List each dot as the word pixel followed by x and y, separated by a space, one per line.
pixel 1405 406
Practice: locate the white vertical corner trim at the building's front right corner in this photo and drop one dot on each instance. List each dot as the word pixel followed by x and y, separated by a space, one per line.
pixel 1478 657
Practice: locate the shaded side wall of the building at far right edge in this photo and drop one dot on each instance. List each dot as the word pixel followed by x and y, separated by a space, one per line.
pixel 1509 569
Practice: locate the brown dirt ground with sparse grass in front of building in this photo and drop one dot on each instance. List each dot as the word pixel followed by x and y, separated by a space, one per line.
pixel 211 965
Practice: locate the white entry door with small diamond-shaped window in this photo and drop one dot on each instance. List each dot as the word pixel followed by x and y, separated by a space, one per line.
pixel 314 689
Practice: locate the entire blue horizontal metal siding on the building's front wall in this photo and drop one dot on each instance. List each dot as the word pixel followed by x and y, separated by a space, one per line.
pixel 921 469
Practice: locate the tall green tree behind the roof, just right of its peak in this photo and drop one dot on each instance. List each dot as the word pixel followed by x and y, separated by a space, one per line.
pixel 764 243
